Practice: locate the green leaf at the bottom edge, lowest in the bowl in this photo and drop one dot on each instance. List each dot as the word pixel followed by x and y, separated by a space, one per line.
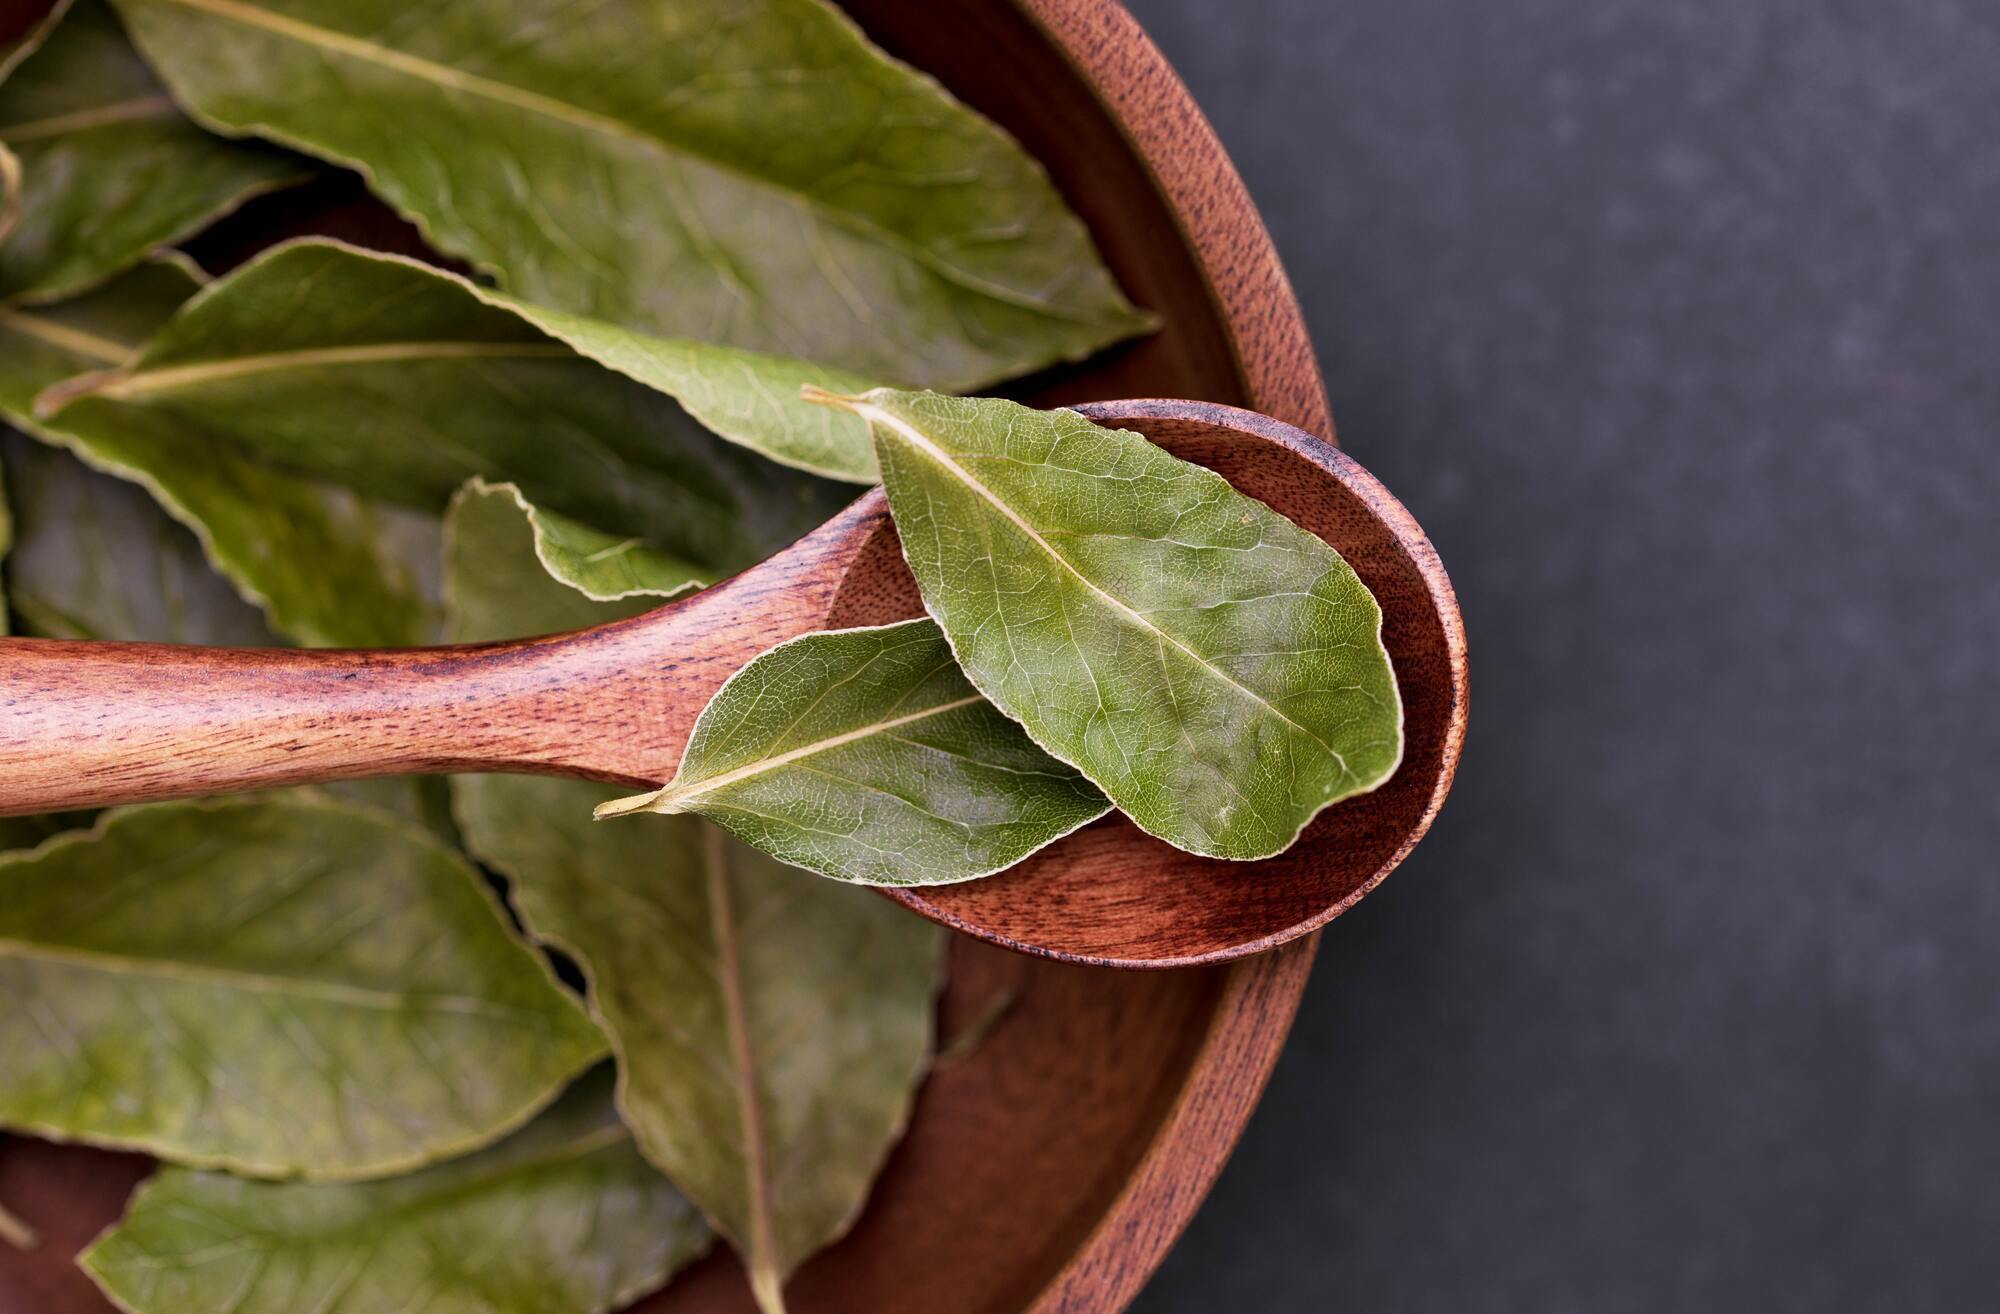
pixel 561 1219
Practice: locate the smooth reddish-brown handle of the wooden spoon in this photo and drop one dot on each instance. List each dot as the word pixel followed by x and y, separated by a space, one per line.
pixel 87 725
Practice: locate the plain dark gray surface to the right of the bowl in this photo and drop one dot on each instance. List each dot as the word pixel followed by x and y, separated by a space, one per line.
pixel 1679 327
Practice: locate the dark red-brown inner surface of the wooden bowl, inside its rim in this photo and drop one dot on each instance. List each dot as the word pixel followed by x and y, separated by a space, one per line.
pixel 1031 1129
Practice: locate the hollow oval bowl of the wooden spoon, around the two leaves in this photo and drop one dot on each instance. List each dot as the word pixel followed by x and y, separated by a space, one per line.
pixel 1117 897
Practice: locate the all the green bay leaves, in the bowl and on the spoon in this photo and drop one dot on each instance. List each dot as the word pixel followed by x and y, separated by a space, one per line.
pixel 451 1045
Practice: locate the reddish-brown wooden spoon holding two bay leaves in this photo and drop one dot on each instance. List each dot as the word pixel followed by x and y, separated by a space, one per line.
pixel 87 725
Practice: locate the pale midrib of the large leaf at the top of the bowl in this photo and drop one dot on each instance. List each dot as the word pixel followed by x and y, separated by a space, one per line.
pixel 537 103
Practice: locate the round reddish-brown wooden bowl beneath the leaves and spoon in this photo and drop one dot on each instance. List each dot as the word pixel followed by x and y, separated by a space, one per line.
pixel 1051 1165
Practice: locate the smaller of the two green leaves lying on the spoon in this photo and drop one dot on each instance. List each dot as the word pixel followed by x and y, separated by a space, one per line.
pixel 863 755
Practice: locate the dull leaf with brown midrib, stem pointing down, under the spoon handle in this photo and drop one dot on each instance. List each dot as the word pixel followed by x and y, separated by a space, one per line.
pixel 771 1029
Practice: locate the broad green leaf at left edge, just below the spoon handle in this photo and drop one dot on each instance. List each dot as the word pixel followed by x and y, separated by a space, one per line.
pixel 275 987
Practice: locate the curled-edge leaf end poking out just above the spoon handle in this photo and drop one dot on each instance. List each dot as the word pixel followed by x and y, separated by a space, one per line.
pixel 495 539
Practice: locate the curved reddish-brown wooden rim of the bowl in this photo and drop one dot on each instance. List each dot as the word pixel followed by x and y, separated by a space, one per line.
pixel 1281 373
